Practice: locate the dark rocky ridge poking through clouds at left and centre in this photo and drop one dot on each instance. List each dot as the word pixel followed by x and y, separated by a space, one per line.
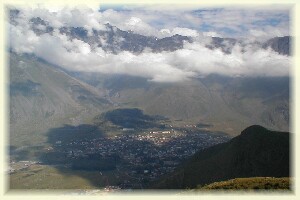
pixel 113 39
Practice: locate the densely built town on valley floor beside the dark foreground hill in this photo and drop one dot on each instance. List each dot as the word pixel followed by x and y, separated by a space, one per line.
pixel 140 158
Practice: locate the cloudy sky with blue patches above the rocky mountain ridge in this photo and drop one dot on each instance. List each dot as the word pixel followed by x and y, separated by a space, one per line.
pixel 149 20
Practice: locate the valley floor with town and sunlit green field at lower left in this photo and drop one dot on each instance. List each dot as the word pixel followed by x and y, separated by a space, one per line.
pixel 126 161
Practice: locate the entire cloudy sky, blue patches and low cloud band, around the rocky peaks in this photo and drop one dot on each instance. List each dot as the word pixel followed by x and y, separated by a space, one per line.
pixel 194 60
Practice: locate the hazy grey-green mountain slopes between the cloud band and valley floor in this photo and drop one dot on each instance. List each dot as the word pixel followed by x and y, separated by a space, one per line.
pixel 43 96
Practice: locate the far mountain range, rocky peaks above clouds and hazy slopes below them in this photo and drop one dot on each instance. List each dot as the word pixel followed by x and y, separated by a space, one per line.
pixel 44 94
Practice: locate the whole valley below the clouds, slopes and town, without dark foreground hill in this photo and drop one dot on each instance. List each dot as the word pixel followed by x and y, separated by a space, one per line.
pixel 123 132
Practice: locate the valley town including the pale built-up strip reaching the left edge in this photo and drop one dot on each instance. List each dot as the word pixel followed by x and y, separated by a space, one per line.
pixel 131 159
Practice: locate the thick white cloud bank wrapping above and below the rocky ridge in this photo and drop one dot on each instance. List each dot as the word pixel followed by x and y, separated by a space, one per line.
pixel 180 65
